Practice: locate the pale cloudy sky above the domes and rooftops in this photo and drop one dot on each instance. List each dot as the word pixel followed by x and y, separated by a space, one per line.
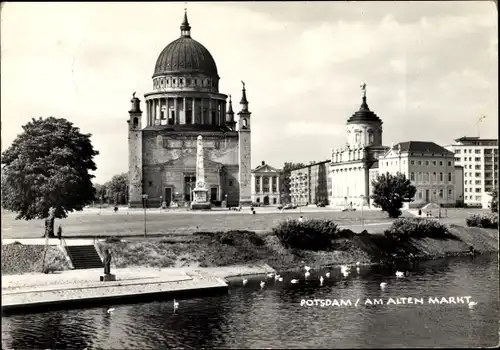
pixel 431 69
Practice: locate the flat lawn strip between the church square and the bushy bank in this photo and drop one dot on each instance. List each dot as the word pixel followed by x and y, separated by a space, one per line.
pixel 121 224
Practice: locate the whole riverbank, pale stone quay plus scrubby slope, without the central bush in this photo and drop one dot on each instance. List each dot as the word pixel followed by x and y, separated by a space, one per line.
pixel 205 259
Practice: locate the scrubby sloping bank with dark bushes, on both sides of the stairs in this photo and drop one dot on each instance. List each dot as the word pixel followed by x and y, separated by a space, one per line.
pixel 319 243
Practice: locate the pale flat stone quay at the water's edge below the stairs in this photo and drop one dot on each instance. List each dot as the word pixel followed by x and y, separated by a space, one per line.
pixel 42 292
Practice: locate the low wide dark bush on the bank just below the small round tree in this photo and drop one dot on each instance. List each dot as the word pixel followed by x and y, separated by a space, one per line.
pixel 406 228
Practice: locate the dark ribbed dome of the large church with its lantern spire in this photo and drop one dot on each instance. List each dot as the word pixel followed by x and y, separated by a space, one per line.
pixel 185 55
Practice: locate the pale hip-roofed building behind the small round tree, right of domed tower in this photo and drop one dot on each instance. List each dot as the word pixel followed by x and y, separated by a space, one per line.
pixel 430 168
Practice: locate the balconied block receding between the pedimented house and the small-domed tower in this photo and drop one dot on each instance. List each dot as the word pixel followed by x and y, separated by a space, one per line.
pixel 311 184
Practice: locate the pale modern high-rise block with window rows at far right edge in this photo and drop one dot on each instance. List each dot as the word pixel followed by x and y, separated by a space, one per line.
pixel 479 159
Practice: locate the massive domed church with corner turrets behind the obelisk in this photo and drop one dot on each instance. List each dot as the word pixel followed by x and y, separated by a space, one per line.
pixel 184 103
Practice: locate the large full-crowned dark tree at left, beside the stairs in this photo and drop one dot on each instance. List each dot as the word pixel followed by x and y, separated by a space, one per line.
pixel 46 171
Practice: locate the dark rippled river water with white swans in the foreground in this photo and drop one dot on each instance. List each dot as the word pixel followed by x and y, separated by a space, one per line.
pixel 272 317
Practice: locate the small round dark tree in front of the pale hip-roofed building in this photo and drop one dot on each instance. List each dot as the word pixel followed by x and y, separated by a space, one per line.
pixel 391 191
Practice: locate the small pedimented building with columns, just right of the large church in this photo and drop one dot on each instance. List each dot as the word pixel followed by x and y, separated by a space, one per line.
pixel 266 185
